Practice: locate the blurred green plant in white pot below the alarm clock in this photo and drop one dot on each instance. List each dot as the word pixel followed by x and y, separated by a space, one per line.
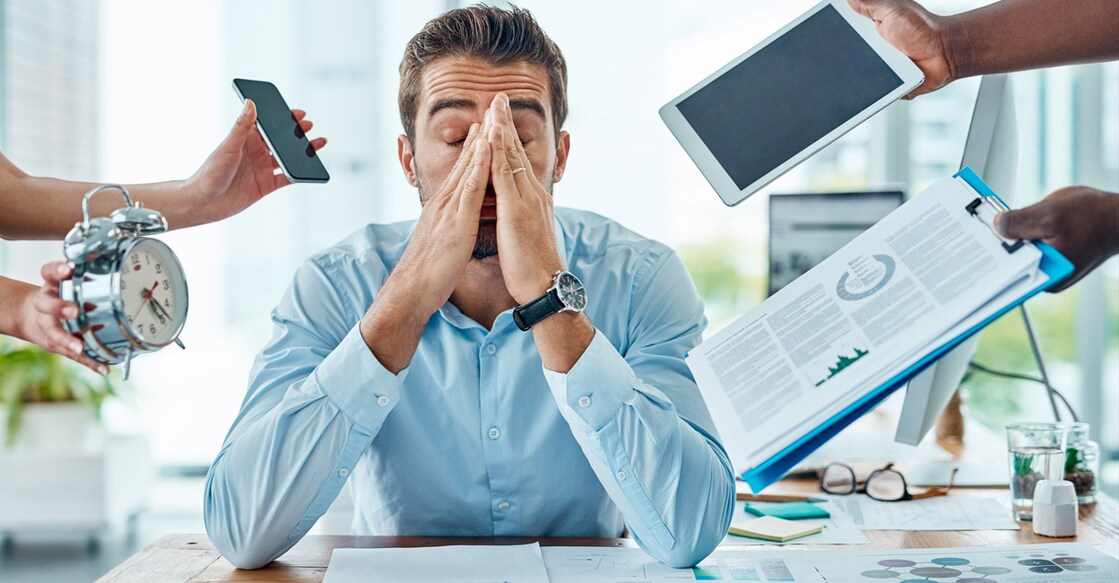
pixel 57 401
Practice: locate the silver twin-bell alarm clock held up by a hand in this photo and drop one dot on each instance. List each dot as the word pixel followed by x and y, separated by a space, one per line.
pixel 129 289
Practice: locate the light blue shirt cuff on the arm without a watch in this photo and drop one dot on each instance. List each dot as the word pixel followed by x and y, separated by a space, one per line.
pixel 355 381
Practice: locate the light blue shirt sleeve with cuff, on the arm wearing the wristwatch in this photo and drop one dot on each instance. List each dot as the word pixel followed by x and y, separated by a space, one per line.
pixel 644 427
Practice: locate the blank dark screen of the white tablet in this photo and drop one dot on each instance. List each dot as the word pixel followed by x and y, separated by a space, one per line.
pixel 785 98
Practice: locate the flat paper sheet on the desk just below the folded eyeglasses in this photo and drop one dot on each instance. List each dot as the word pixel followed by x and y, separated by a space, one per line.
pixel 944 513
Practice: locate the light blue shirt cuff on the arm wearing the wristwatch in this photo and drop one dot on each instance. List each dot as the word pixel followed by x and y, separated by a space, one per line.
pixel 596 388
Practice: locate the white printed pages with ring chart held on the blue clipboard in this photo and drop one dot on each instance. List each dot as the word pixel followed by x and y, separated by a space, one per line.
pixel 926 272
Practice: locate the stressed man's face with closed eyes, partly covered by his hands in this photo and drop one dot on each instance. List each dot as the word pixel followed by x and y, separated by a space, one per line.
pixel 456 93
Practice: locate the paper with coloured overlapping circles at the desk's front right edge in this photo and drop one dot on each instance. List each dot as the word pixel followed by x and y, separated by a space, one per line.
pixel 1074 562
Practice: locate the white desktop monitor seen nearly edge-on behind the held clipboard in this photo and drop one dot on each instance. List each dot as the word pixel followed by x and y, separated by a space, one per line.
pixel 992 151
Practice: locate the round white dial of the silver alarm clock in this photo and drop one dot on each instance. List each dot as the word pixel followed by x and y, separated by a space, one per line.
pixel 154 293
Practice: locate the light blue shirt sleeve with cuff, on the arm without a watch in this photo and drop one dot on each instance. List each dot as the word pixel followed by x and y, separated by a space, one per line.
pixel 317 398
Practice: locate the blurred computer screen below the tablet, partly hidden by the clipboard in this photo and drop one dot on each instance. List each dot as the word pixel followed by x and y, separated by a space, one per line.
pixel 806 229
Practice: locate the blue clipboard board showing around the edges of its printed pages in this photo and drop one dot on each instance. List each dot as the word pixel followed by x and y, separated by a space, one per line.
pixel 1054 265
